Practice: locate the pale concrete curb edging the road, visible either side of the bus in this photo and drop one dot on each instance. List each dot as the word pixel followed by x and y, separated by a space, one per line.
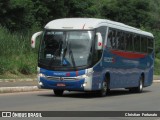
pixel 30 88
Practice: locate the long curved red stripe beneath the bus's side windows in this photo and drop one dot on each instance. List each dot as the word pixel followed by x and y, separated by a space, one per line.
pixel 129 55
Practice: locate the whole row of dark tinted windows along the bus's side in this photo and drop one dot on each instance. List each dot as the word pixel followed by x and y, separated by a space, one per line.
pixel 122 40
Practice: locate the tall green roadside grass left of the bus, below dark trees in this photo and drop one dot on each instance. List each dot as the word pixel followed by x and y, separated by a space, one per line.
pixel 16 55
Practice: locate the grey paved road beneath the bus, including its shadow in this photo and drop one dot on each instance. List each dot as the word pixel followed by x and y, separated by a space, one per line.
pixel 118 100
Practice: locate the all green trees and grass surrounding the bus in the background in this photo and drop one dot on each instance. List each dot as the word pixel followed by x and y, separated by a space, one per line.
pixel 19 19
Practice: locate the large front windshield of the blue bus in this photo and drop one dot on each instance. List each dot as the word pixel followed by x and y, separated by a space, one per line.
pixel 65 49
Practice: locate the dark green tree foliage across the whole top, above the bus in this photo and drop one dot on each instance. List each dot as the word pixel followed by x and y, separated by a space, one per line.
pixel 20 15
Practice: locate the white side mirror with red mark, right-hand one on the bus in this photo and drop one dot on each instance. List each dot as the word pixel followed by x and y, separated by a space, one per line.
pixel 98 41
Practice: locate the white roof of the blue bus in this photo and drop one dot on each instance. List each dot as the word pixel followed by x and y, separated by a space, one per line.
pixel 91 23
